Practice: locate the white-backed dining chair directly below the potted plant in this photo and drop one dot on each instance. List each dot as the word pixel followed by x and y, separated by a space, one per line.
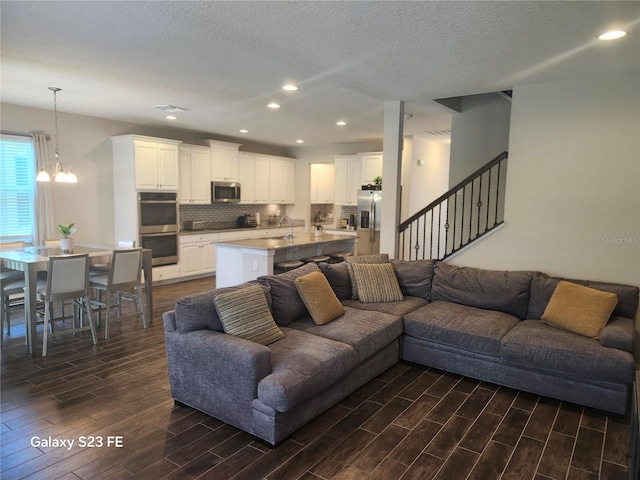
pixel 67 279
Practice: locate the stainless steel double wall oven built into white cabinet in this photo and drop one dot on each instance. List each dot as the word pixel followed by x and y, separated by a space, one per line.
pixel 158 225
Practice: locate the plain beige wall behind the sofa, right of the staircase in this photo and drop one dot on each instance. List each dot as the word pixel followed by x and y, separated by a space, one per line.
pixel 573 183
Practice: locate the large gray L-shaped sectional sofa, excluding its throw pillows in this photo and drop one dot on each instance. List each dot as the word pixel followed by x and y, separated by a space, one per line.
pixel 479 323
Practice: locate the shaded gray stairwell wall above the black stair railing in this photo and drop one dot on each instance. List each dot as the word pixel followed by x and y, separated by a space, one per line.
pixel 479 133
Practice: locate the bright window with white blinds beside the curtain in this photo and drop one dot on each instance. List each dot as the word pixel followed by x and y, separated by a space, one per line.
pixel 17 188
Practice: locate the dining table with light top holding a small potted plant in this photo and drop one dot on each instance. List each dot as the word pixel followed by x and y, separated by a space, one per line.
pixel 34 259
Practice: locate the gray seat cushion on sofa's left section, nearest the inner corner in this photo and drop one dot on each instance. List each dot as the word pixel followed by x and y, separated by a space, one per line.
pixel 365 332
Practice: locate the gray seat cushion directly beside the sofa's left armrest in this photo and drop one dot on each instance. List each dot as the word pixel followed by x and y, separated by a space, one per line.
pixel 302 365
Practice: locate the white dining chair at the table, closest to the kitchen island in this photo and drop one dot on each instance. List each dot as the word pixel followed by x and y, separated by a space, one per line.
pixel 122 279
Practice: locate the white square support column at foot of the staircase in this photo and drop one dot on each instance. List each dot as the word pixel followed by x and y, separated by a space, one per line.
pixel 391 177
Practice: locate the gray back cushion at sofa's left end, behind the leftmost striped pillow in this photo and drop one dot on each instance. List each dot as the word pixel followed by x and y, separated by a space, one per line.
pixel 197 311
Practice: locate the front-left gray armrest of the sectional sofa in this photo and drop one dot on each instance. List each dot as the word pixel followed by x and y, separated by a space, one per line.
pixel 216 373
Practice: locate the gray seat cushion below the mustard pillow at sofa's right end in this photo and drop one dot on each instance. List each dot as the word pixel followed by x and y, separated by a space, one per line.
pixel 536 345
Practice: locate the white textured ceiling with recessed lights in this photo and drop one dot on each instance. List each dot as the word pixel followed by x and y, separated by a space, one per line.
pixel 225 61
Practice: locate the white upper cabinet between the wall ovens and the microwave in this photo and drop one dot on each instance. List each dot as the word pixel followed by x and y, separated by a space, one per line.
pixel 195 175
